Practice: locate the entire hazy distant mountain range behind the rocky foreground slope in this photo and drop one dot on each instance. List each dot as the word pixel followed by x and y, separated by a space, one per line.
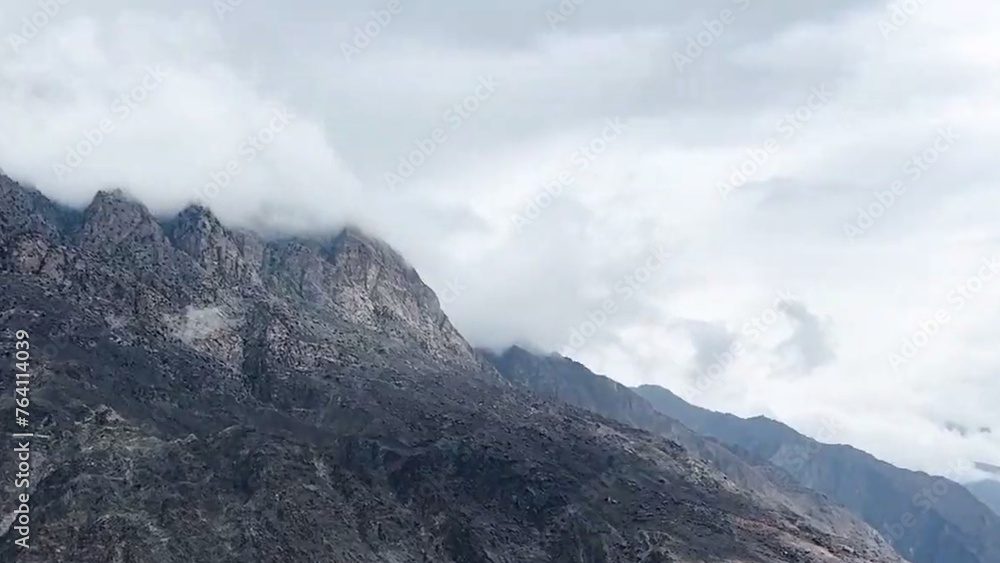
pixel 927 519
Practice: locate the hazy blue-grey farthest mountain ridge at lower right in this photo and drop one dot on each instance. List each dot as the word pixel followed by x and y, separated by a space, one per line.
pixel 928 519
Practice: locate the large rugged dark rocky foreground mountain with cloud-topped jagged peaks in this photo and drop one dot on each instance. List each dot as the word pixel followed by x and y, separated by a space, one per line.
pixel 204 394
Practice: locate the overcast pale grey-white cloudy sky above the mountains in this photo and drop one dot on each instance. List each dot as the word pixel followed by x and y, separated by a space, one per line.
pixel 742 293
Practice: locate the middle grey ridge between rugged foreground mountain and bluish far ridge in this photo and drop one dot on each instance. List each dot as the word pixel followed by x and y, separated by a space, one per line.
pixel 560 378
